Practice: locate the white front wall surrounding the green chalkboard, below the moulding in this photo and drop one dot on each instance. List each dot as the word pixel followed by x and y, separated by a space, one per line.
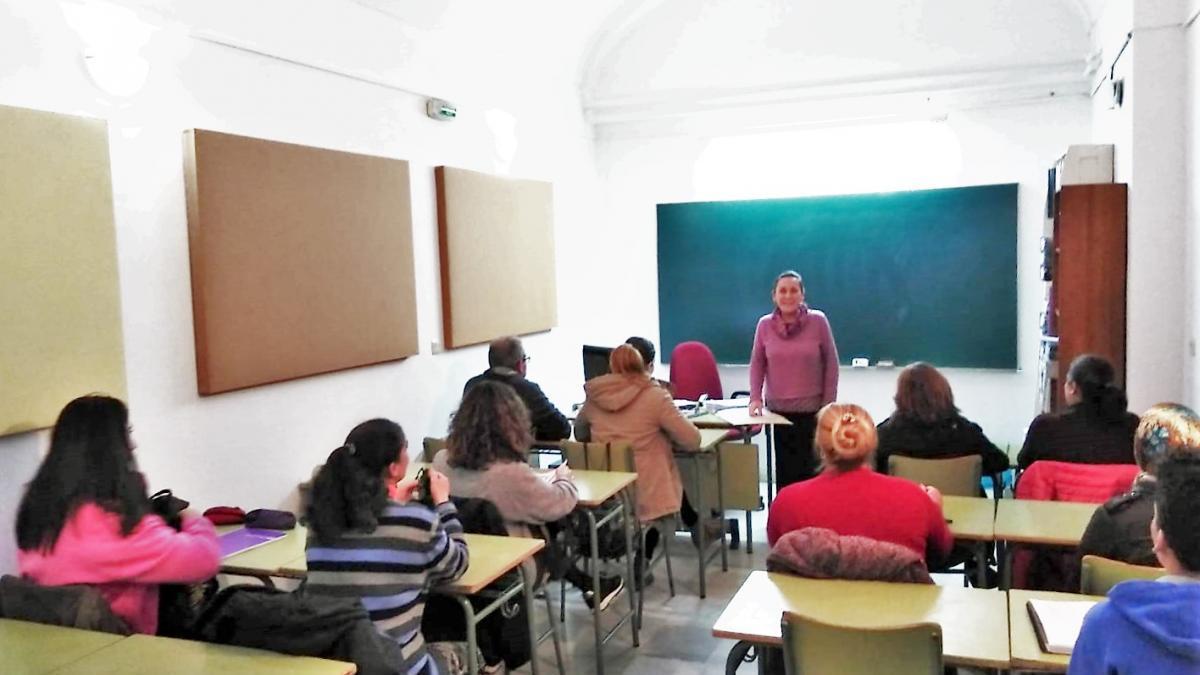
pixel 1007 145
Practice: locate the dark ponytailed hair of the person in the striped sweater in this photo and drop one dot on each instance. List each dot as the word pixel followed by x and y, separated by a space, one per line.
pixel 350 492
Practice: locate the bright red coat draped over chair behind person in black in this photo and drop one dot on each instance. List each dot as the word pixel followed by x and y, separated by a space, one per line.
pixel 1070 482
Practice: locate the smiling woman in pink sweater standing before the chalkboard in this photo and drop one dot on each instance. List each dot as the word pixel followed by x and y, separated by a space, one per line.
pixel 795 356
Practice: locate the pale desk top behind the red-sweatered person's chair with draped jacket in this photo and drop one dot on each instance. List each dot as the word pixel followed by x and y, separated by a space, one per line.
pixel 975 622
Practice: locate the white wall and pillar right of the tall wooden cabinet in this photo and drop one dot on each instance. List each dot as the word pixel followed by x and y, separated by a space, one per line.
pixel 1148 132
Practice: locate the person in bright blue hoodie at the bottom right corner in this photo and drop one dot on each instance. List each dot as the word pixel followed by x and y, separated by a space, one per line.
pixel 1154 628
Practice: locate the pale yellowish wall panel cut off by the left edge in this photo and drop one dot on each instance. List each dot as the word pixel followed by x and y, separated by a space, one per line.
pixel 59 290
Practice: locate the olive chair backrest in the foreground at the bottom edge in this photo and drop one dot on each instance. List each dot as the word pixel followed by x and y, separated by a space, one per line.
pixel 812 648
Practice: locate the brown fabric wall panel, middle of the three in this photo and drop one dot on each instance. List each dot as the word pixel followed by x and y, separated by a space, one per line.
pixel 302 260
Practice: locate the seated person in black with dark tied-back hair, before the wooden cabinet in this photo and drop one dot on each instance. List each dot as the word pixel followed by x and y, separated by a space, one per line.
pixel 1095 429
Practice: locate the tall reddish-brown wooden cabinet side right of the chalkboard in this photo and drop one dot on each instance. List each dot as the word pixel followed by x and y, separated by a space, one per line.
pixel 1088 288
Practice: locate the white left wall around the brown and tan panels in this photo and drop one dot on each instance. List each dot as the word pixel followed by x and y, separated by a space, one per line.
pixel 251 449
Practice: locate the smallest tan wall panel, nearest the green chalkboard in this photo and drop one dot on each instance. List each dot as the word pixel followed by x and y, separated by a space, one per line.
pixel 497 247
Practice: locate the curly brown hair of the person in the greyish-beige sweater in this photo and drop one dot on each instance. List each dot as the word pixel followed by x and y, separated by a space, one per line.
pixel 493 425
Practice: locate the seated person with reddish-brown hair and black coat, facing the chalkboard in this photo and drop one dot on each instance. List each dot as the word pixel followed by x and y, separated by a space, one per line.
pixel 928 426
